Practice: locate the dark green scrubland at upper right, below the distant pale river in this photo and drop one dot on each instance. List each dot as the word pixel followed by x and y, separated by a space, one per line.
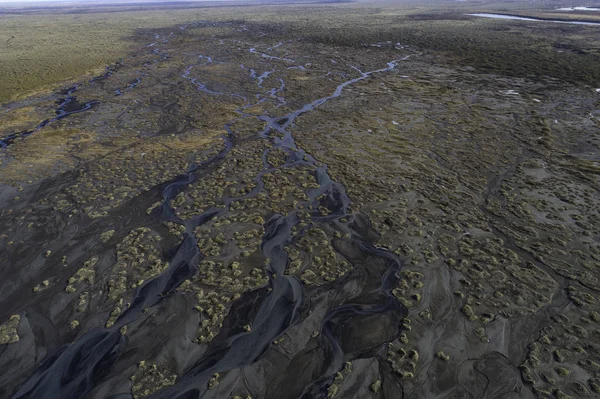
pixel 521 50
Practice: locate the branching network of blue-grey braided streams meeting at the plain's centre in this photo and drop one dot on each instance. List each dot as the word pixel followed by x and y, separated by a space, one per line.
pixel 76 369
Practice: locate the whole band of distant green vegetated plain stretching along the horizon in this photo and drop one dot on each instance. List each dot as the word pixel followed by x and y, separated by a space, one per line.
pixel 43 48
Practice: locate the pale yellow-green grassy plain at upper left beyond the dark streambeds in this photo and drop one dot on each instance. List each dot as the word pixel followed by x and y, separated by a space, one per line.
pixel 43 49
